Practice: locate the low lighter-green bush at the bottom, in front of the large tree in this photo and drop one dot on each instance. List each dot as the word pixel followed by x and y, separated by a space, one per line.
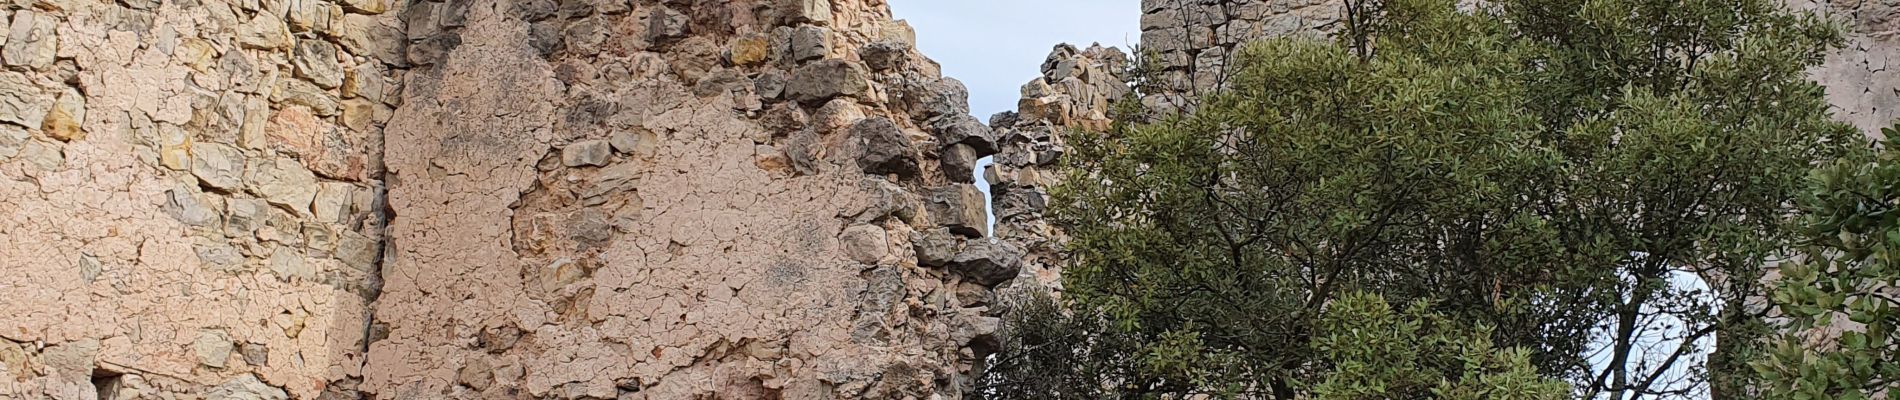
pixel 1378 354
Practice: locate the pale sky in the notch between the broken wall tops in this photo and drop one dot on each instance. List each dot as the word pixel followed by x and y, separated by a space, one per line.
pixel 995 46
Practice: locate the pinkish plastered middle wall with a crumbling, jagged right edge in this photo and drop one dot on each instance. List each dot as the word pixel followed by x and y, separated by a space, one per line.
pixel 681 200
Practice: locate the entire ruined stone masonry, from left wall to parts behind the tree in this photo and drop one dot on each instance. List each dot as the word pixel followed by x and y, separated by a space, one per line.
pixel 542 198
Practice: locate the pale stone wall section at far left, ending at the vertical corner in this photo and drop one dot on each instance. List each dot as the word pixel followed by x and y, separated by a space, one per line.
pixel 189 194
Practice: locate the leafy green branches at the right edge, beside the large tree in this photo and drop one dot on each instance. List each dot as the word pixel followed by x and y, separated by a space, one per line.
pixel 1850 270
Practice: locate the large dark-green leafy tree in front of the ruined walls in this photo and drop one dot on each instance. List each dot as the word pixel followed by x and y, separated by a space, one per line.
pixel 1542 168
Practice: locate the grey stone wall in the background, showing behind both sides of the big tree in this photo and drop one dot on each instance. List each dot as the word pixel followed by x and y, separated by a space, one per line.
pixel 1196 39
